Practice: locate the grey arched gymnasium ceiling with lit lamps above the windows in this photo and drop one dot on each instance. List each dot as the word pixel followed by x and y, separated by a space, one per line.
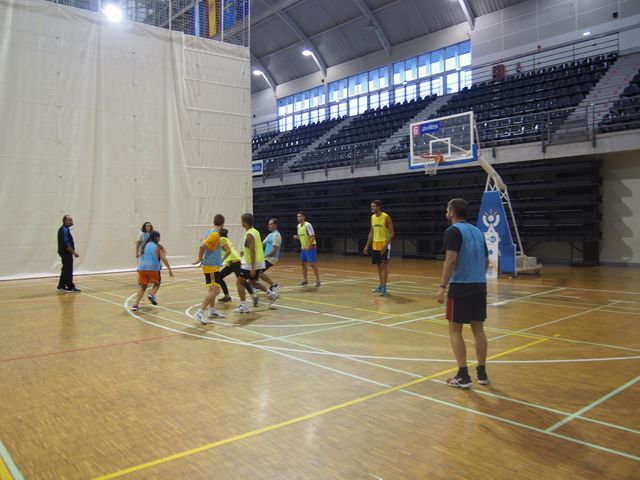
pixel 340 30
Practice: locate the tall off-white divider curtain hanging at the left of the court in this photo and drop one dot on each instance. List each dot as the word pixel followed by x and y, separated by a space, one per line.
pixel 115 124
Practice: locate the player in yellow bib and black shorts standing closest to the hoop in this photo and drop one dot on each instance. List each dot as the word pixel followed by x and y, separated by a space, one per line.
pixel 380 236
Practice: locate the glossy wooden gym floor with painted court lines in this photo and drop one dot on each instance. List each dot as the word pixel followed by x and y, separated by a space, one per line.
pixel 330 383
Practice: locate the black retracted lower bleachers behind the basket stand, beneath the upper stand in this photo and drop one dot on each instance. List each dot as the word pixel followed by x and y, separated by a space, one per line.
pixel 554 201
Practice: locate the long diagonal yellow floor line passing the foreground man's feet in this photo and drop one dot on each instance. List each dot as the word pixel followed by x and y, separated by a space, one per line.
pixel 302 418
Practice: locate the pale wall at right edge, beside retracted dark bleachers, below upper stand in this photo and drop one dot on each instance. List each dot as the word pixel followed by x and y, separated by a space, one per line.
pixel 621 209
